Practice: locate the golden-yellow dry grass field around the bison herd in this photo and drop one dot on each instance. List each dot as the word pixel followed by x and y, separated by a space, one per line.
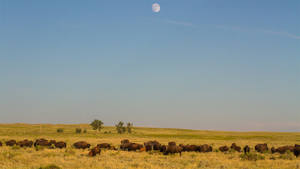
pixel 30 158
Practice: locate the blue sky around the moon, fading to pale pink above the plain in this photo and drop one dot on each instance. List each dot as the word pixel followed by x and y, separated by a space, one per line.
pixel 200 64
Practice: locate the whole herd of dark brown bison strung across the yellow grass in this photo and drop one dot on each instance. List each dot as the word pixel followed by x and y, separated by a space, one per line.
pixel 171 148
